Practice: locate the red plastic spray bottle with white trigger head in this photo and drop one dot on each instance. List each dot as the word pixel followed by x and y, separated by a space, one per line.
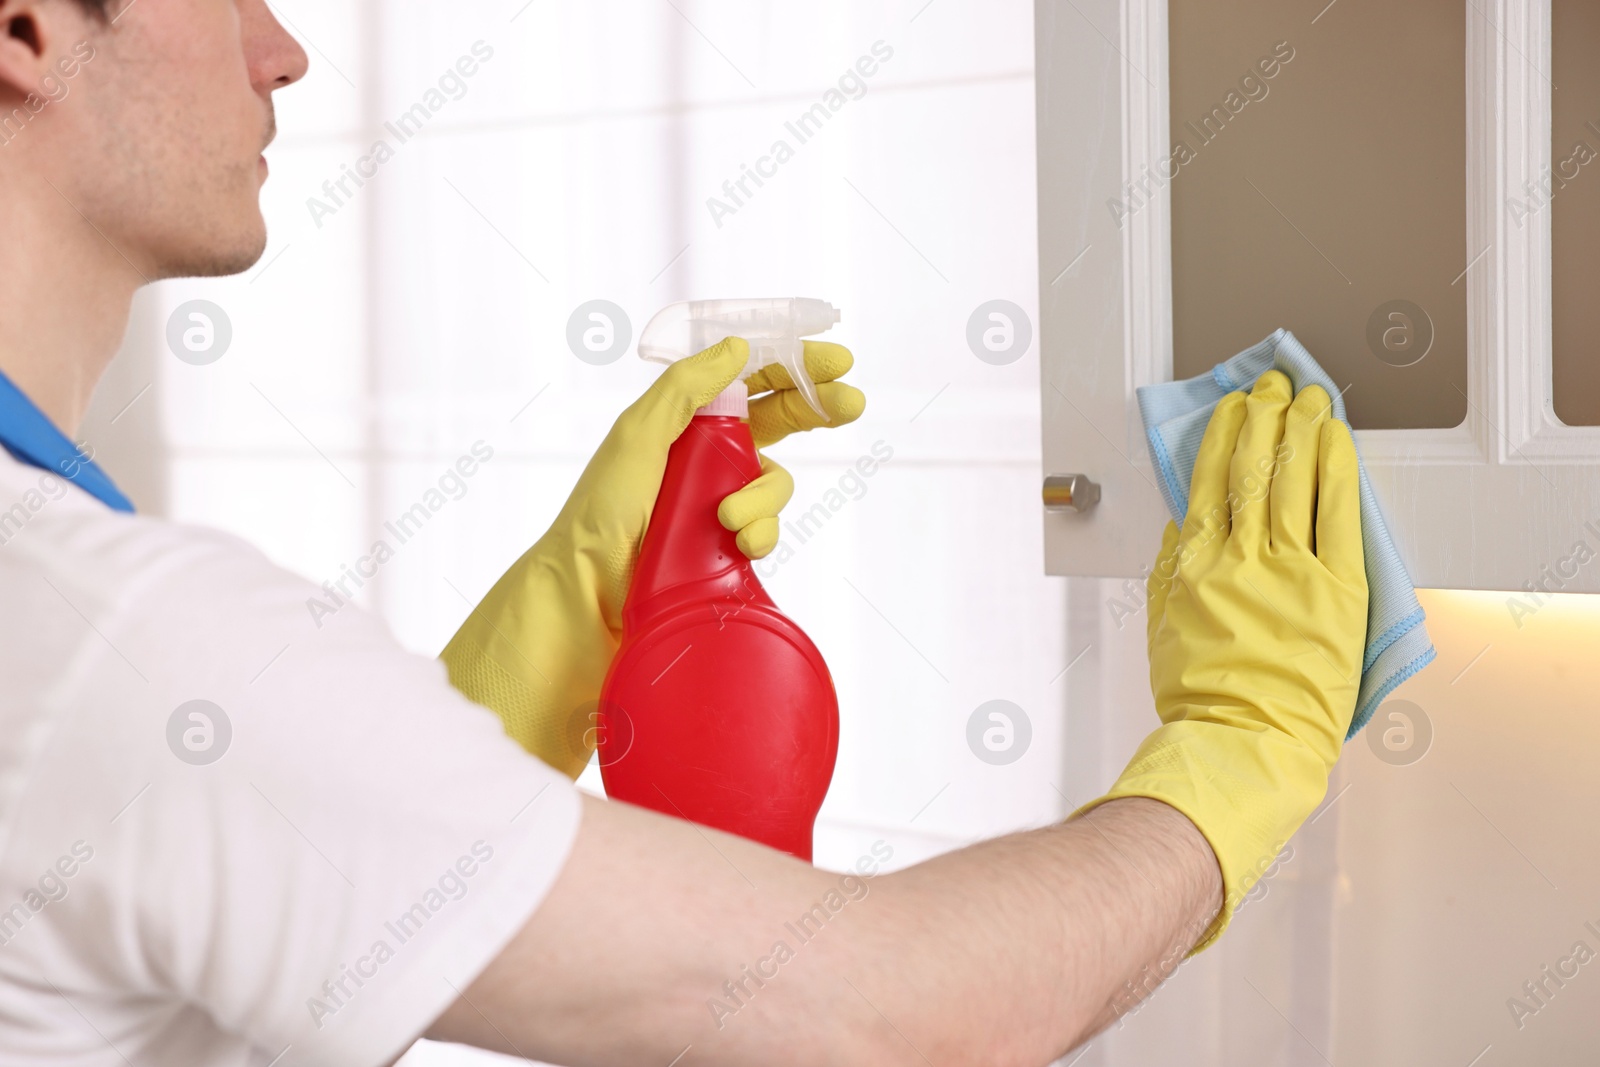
pixel 718 708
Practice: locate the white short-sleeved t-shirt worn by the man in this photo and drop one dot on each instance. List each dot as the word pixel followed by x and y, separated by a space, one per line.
pixel 302 869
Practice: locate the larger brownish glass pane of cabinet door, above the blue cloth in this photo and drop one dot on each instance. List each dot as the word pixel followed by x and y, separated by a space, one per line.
pixel 1319 183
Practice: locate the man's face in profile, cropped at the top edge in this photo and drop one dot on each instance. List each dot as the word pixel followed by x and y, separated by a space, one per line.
pixel 162 138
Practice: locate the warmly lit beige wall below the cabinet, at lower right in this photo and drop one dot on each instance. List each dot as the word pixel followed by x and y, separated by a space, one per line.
pixel 1450 908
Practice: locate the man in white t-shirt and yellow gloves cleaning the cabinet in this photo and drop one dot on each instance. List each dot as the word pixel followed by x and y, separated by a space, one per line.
pixel 372 858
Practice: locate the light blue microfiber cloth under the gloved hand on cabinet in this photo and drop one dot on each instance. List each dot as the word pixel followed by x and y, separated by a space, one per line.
pixel 1175 420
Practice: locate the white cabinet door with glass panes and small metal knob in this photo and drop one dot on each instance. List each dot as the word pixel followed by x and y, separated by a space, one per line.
pixel 1346 172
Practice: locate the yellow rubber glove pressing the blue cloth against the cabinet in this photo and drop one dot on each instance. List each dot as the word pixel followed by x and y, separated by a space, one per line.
pixel 1257 631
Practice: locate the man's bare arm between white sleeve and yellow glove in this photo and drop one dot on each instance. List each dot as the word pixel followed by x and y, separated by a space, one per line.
pixel 662 937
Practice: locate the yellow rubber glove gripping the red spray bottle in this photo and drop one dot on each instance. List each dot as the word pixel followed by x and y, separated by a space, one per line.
pixel 538 647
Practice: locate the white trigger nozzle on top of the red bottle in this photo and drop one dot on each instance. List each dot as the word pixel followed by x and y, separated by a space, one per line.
pixel 775 329
